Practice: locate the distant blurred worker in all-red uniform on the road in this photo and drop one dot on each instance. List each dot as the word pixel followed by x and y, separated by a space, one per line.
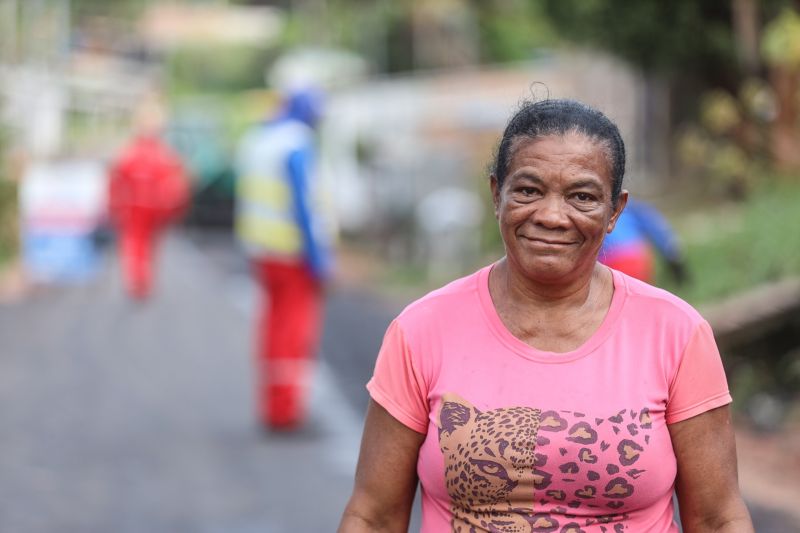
pixel 148 190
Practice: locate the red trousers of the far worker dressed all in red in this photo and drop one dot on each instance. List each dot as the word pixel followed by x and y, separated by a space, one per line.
pixel 137 243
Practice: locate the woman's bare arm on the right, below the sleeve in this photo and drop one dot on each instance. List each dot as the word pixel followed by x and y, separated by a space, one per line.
pixel 707 483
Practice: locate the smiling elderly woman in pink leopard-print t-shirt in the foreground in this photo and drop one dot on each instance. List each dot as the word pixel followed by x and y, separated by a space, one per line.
pixel 547 392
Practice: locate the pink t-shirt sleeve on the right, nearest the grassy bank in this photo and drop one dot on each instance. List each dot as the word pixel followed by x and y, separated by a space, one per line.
pixel 699 384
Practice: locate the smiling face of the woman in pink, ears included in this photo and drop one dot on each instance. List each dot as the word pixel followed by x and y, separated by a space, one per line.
pixel 555 206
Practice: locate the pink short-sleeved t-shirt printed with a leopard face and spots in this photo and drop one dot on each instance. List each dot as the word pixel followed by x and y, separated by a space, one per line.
pixel 519 439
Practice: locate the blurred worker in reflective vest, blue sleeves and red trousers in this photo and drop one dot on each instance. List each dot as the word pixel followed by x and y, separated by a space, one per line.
pixel 284 224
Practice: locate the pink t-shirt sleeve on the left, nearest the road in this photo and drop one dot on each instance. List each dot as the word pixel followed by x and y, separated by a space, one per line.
pixel 397 384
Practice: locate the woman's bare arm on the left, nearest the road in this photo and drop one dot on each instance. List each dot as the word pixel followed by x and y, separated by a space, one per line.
pixel 386 476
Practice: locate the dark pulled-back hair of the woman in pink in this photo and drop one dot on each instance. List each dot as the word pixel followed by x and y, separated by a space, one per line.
pixel 559 117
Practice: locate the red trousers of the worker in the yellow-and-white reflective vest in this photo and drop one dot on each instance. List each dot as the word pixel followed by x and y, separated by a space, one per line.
pixel 288 334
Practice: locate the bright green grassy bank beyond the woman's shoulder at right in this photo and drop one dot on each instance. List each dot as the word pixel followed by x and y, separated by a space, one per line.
pixel 738 246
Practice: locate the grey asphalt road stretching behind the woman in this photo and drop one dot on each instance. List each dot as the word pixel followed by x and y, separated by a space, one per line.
pixel 124 417
